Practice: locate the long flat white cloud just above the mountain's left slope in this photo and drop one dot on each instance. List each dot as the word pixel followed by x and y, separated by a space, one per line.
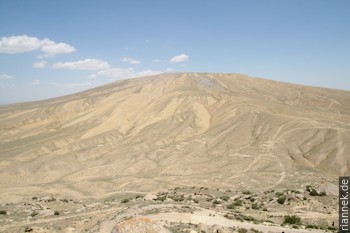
pixel 87 64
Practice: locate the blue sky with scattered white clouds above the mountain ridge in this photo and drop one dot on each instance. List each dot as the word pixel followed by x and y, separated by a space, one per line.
pixel 53 48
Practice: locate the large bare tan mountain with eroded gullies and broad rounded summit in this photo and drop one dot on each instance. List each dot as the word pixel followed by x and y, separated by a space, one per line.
pixel 184 129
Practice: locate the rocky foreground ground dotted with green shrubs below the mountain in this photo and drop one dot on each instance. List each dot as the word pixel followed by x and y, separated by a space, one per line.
pixel 182 209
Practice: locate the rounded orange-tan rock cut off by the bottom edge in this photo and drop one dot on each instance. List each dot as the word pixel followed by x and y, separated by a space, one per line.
pixel 139 225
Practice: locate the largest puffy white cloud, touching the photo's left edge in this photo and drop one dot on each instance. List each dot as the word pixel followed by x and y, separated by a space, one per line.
pixel 24 43
